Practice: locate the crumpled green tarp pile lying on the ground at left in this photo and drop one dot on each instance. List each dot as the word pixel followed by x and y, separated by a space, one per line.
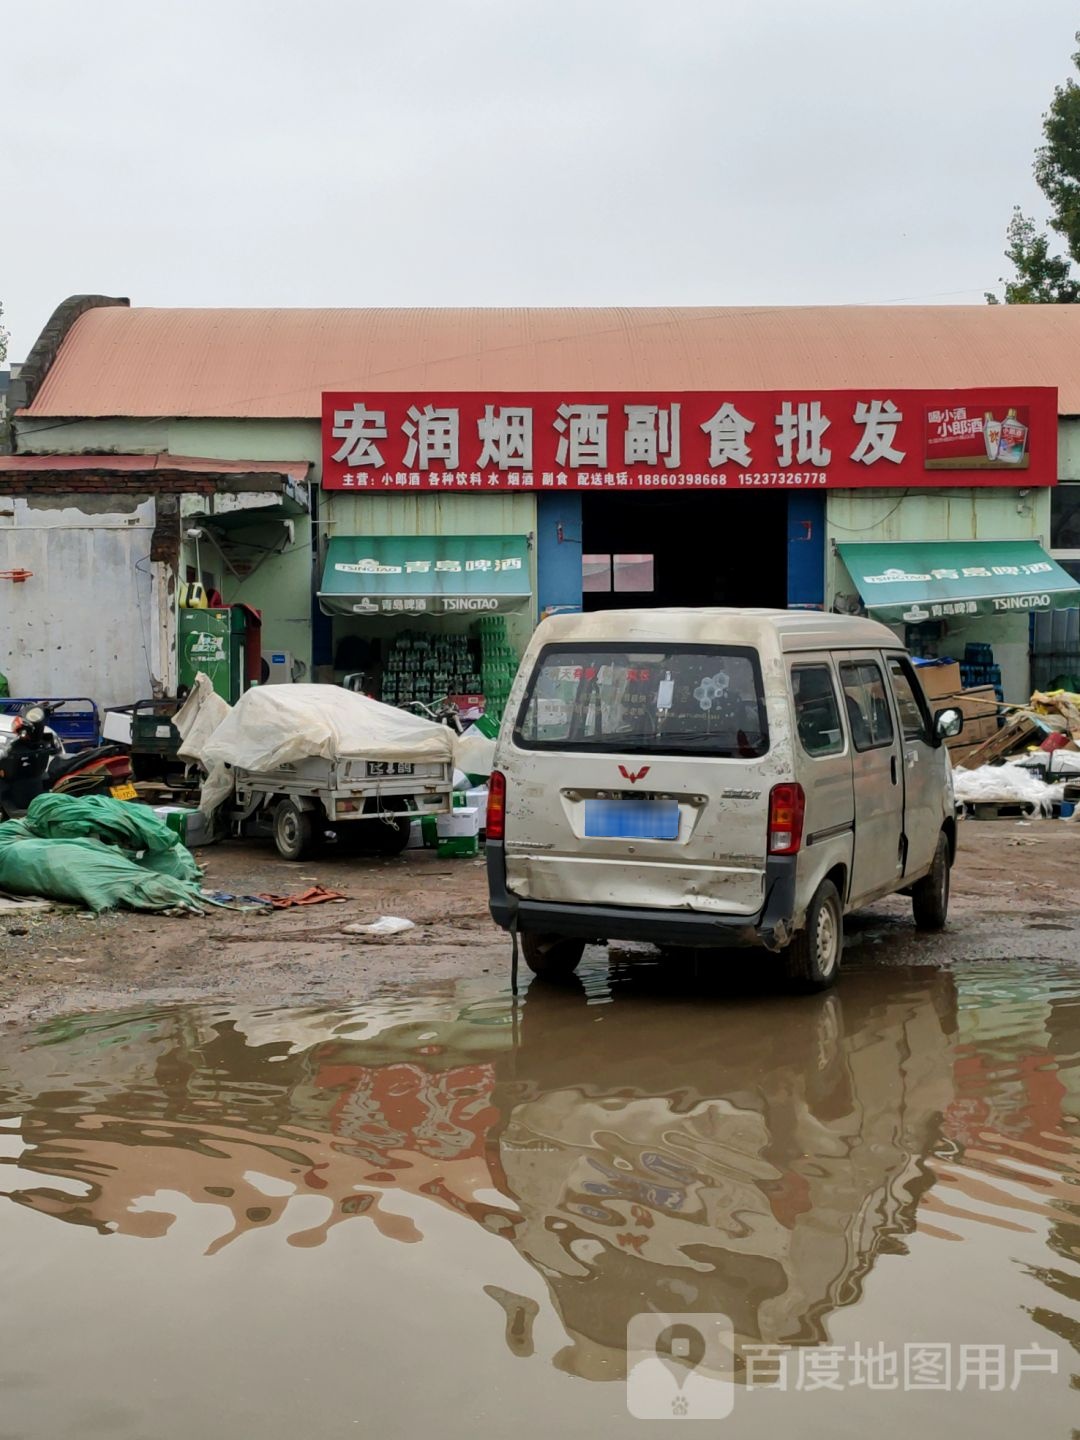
pixel 99 853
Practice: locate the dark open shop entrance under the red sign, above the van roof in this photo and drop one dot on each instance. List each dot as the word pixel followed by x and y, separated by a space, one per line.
pixel 685 548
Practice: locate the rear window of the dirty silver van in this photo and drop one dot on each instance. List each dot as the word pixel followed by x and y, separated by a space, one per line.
pixel 646 701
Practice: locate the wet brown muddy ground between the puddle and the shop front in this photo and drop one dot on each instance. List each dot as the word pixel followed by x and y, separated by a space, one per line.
pixel 1016 895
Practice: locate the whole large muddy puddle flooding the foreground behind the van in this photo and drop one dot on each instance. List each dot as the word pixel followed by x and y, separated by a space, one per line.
pixel 441 1213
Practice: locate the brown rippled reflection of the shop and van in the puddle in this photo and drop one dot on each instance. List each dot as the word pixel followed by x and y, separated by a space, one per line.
pixel 639 1148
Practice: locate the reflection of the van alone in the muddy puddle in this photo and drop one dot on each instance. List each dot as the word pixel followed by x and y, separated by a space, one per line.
pixel 752 1161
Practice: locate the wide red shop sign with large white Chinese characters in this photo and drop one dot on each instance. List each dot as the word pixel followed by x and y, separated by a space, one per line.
pixel 692 440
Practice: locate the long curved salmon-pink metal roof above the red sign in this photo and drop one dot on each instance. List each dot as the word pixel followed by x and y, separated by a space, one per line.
pixel 276 364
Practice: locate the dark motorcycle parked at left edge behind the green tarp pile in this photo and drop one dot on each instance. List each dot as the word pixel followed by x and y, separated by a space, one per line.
pixel 32 761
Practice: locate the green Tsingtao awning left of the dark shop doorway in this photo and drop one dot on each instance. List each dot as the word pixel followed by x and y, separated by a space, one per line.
pixel 426 575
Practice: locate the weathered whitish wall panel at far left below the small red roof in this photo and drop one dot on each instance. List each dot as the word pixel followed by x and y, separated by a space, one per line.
pixel 89 621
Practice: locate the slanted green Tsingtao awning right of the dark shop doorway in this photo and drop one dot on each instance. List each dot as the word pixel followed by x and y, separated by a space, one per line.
pixel 940 580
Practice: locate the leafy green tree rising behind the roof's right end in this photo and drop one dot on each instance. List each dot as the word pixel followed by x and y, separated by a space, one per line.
pixel 1045 279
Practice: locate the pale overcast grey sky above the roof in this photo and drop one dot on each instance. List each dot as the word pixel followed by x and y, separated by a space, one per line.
pixel 518 152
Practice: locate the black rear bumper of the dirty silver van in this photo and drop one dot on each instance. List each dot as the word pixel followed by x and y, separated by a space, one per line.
pixel 771 928
